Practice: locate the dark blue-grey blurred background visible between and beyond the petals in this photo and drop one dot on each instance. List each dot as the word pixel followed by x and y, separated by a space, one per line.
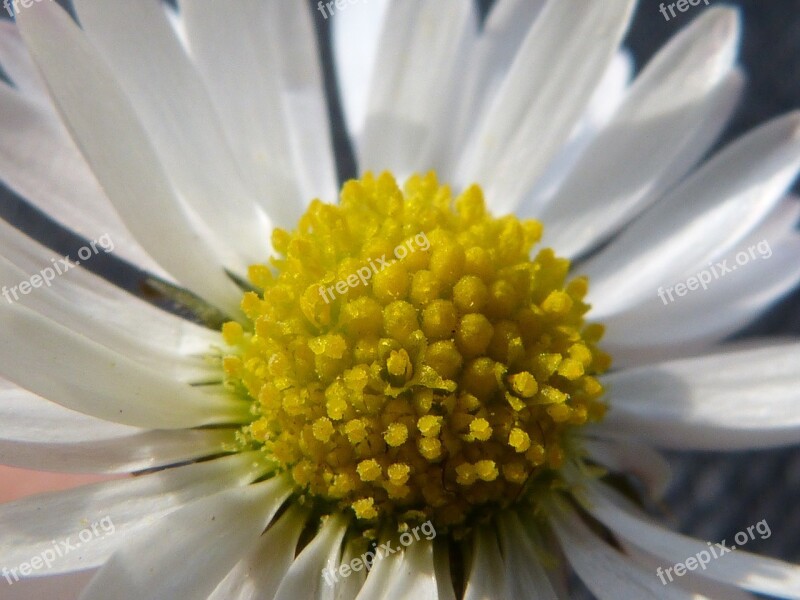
pixel 713 496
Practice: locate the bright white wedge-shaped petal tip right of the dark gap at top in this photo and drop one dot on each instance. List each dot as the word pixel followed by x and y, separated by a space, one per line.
pixel 356 36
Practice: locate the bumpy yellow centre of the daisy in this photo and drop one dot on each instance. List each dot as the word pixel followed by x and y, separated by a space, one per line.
pixel 410 359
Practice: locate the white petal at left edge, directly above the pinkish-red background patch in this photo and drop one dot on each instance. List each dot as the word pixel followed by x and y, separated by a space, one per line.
pixel 37 434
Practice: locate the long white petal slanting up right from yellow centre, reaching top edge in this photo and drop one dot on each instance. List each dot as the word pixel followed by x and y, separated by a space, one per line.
pixel 545 93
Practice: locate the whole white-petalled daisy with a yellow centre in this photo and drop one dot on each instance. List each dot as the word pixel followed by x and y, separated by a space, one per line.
pixel 407 392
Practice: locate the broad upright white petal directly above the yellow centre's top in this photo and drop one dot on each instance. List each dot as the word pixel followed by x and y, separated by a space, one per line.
pixel 414 84
